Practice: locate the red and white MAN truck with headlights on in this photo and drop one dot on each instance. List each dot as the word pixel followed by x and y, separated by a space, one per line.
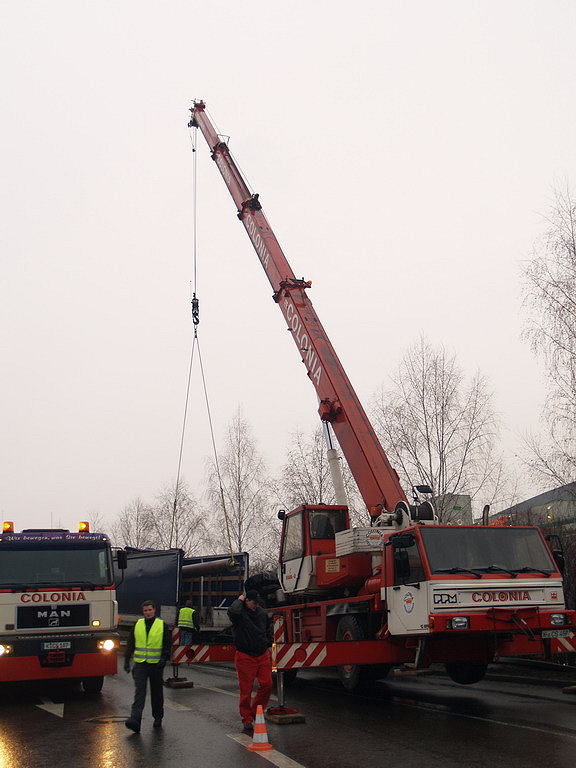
pixel 58 611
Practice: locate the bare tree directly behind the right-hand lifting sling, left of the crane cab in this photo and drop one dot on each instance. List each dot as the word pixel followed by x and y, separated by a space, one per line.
pixel 243 487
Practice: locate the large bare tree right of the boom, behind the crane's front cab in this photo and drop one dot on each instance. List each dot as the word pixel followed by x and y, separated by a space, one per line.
pixel 439 430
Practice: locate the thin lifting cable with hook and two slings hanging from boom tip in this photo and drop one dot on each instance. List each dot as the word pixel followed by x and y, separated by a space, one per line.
pixel 196 342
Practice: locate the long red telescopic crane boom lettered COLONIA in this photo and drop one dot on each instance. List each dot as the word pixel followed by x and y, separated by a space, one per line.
pixel 376 479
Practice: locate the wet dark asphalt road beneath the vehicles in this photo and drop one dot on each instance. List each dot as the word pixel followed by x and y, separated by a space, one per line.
pixel 409 722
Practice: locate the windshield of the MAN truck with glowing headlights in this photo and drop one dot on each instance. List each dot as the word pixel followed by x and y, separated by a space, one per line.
pixel 55 566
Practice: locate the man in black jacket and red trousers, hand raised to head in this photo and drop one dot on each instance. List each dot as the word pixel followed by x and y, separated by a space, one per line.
pixel 252 633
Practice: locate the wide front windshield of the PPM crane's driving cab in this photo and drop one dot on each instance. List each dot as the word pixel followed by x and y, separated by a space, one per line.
pixel 486 550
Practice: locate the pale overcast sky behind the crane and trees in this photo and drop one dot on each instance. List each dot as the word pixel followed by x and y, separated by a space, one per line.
pixel 404 154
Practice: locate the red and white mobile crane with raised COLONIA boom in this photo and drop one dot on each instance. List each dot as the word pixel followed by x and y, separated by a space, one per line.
pixel 404 590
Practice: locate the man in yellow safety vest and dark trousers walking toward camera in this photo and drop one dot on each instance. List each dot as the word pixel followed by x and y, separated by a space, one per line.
pixel 149 644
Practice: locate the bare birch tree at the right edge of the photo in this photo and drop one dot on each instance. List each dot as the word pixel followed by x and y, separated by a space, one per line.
pixel 550 299
